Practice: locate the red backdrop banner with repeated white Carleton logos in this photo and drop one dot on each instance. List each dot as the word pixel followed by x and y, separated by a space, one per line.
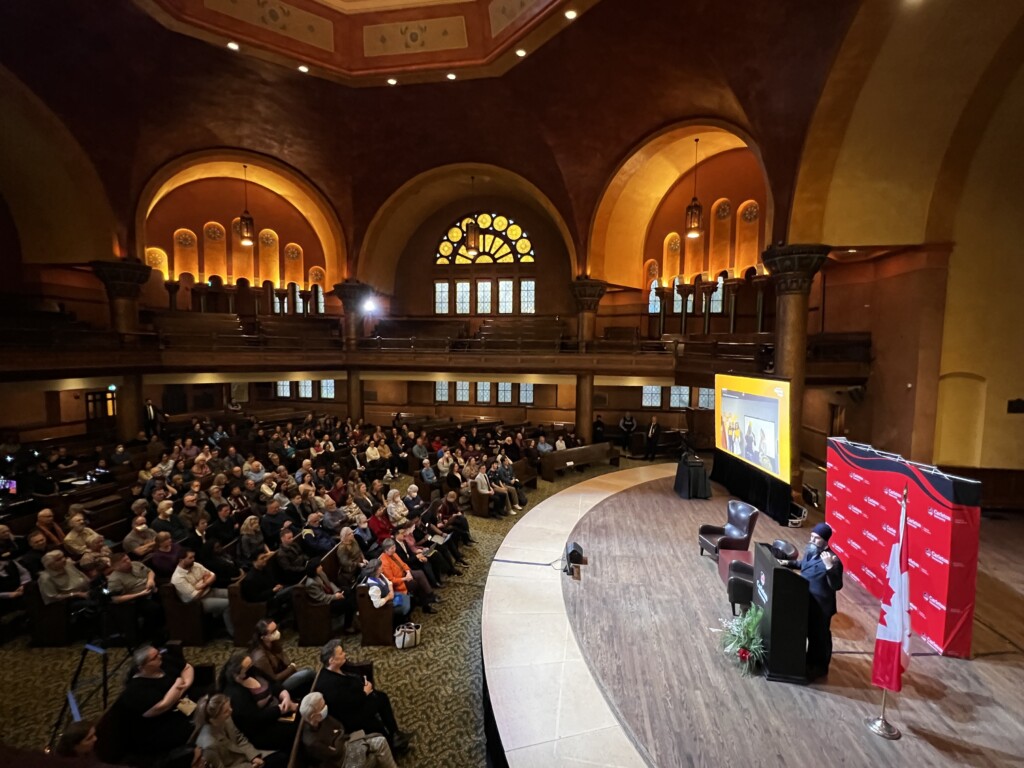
pixel 863 505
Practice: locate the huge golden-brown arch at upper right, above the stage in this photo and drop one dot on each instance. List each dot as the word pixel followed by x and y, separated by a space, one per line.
pixel 902 115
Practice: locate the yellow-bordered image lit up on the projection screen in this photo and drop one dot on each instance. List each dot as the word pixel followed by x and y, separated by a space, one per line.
pixel 753 418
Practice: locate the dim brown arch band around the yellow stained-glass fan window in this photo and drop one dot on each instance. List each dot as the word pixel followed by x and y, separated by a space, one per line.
pixel 397 221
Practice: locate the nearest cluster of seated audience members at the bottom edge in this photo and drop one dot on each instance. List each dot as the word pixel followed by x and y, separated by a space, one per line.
pixel 262 711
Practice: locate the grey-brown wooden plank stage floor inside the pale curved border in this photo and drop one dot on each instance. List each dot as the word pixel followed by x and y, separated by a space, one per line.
pixel 647 614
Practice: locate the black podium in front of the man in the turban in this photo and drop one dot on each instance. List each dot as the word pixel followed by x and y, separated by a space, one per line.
pixel 782 593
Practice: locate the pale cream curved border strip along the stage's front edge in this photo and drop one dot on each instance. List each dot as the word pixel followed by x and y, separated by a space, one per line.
pixel 548 708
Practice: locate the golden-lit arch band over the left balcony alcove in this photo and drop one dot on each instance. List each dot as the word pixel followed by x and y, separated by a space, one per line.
pixel 265 172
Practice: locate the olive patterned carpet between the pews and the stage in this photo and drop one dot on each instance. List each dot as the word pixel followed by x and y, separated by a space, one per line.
pixel 437 689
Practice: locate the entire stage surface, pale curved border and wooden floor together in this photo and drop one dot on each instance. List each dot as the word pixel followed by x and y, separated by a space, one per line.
pixel 624 668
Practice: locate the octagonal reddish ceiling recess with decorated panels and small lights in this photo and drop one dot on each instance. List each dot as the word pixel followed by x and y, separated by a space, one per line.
pixel 376 42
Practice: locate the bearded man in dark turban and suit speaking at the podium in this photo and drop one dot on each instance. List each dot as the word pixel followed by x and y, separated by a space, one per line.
pixel 824 572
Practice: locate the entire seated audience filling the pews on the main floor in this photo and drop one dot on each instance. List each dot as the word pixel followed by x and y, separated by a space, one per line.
pixel 205 517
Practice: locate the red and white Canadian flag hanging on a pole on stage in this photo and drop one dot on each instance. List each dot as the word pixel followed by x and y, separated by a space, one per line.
pixel 892 641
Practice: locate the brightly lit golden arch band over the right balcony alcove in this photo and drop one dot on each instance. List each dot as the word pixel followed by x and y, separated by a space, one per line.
pixel 646 176
